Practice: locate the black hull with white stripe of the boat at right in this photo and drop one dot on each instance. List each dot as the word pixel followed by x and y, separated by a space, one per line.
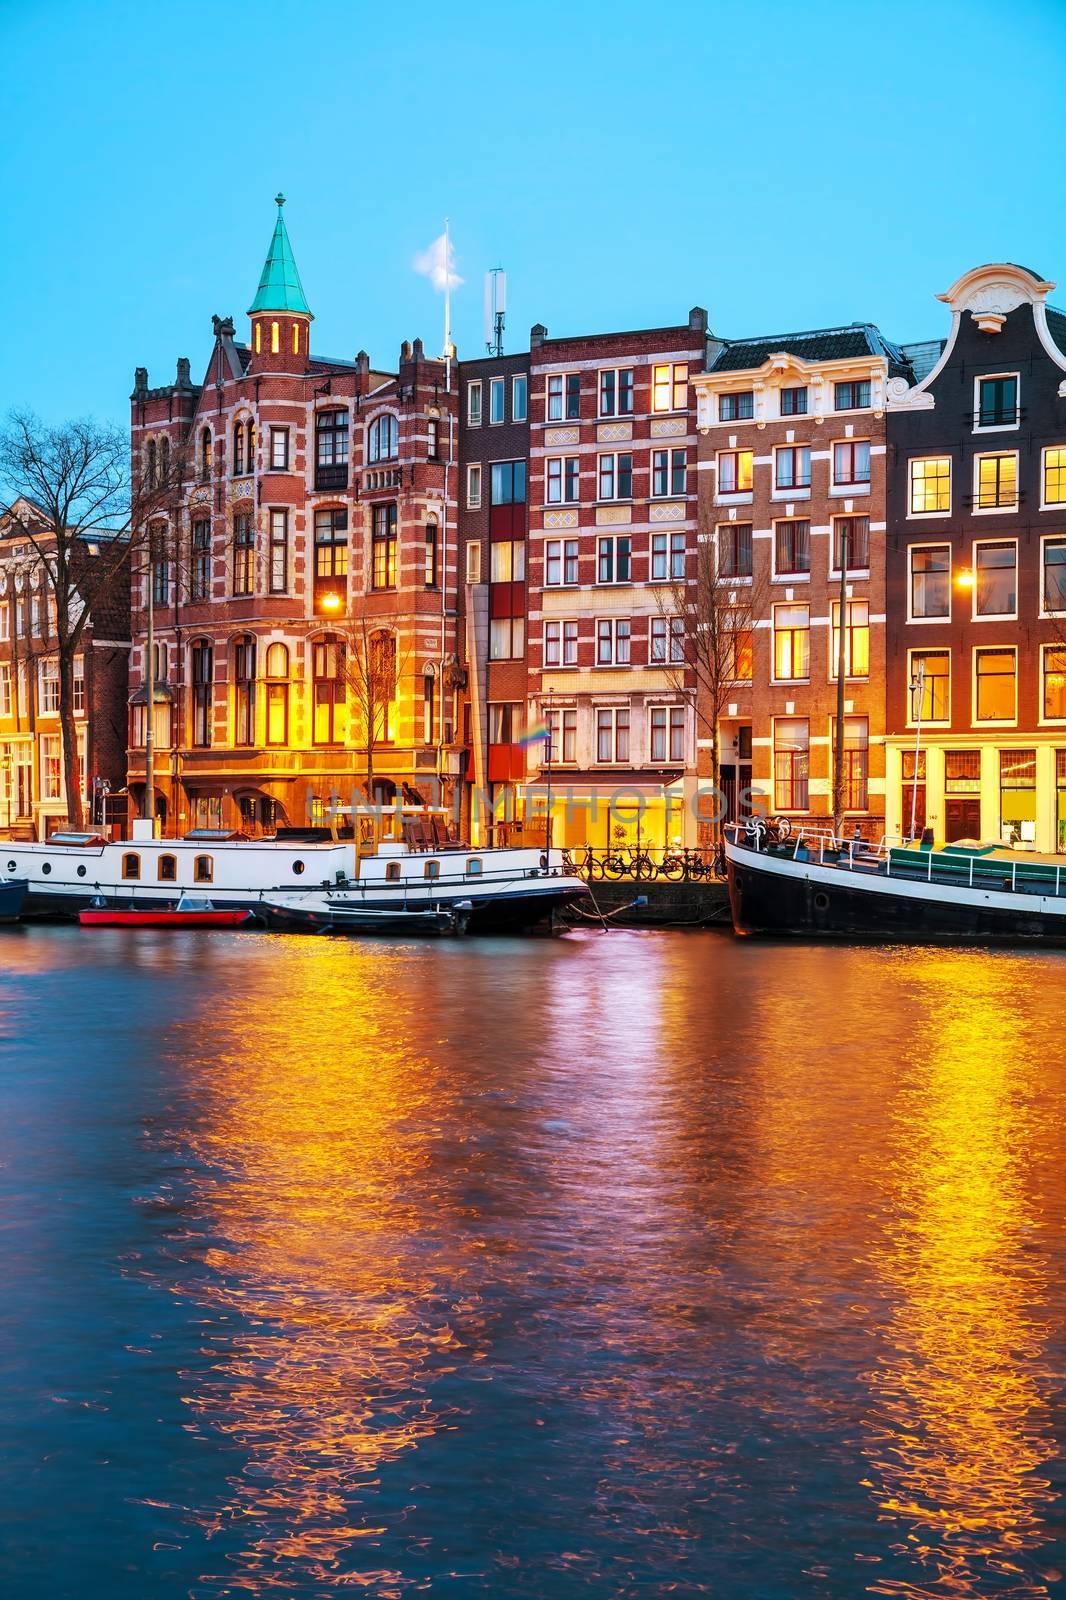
pixel 785 898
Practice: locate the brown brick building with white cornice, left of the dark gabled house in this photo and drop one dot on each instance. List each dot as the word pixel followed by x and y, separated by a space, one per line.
pixel 793 471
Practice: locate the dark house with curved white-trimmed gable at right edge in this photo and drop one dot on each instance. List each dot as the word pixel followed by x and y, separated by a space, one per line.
pixel 977 570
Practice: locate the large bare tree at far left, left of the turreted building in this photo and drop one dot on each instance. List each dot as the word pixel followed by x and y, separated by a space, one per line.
pixel 94 522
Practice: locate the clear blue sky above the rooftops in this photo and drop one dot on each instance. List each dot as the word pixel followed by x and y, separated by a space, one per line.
pixel 782 166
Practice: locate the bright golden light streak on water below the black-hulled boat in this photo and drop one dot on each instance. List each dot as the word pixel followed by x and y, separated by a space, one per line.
pixel 963 1431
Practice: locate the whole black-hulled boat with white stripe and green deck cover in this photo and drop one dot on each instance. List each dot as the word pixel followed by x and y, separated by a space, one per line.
pixel 814 886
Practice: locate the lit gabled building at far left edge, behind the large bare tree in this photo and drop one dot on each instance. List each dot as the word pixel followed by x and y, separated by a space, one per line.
pixel 33 791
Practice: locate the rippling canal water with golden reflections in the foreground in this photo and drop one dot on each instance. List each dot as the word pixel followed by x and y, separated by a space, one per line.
pixel 606 1266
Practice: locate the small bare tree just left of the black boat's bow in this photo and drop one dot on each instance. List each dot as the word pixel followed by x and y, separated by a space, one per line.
pixel 710 631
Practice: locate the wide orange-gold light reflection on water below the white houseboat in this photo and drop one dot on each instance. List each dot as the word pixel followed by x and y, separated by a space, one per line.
pixel 310 1170
